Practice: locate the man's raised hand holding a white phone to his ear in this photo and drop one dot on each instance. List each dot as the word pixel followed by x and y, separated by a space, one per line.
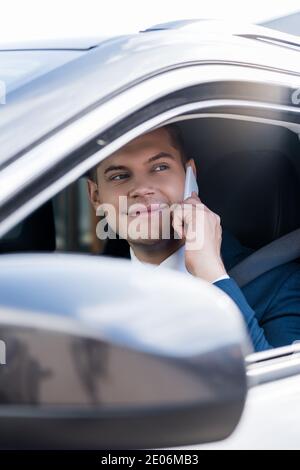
pixel 201 229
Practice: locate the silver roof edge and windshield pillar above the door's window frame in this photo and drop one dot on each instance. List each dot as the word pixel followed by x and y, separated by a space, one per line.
pixel 107 66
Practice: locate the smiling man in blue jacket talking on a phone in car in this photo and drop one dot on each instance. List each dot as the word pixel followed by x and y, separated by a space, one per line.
pixel 149 174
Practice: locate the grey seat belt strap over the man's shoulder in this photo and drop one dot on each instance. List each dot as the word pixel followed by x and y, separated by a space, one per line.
pixel 276 253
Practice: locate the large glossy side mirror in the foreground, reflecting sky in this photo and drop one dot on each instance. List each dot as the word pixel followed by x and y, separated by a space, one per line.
pixel 100 354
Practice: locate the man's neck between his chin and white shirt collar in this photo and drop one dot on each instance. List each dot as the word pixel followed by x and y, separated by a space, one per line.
pixel 157 252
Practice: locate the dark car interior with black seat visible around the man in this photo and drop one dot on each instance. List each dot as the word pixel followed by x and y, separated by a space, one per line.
pixel 244 167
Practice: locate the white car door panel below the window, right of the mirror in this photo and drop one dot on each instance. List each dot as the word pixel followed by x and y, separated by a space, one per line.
pixel 271 416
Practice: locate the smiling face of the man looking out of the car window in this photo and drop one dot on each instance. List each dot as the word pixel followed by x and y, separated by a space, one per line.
pixel 149 173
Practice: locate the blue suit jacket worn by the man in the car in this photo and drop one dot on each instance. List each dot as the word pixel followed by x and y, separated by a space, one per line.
pixel 270 304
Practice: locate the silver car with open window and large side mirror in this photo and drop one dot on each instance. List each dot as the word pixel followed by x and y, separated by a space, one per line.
pixel 90 358
